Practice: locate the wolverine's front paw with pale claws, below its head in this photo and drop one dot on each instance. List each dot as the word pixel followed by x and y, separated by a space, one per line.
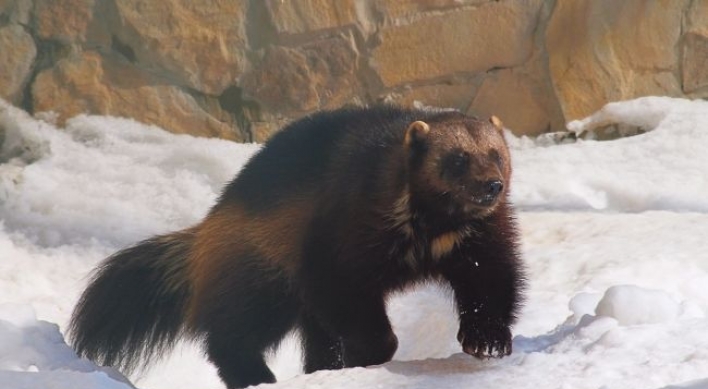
pixel 485 340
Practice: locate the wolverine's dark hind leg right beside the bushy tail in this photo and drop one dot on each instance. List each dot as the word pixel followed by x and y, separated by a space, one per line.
pixel 248 312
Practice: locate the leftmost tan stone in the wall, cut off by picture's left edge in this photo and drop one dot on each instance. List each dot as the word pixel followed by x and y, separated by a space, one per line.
pixel 18 53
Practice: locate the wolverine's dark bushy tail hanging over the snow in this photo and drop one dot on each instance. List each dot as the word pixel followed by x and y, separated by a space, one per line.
pixel 133 308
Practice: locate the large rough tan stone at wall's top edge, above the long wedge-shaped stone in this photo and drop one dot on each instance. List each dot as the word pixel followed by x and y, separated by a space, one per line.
pixel 197 43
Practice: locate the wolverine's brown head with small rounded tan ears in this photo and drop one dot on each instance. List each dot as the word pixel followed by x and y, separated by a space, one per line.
pixel 458 165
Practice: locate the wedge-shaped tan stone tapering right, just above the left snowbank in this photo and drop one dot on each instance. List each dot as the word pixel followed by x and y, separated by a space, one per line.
pixel 90 83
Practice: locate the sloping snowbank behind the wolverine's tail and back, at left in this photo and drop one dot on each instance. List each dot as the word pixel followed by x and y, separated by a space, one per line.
pixel 116 180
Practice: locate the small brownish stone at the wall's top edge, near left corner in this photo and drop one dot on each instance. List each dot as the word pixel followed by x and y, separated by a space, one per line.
pixel 66 20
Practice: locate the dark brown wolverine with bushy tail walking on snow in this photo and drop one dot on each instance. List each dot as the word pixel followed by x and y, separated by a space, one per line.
pixel 333 214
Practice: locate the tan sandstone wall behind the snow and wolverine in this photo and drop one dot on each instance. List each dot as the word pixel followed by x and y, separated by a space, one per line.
pixel 239 69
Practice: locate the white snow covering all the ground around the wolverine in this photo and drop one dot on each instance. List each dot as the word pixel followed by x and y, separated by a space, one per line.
pixel 615 236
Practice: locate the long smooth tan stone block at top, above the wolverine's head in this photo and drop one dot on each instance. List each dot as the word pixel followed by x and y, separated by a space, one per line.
pixel 472 40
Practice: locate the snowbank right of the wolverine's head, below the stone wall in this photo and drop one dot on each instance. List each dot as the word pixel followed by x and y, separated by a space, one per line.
pixel 662 170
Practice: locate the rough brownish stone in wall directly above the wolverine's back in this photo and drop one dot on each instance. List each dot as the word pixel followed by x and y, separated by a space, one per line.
pixel 299 80
